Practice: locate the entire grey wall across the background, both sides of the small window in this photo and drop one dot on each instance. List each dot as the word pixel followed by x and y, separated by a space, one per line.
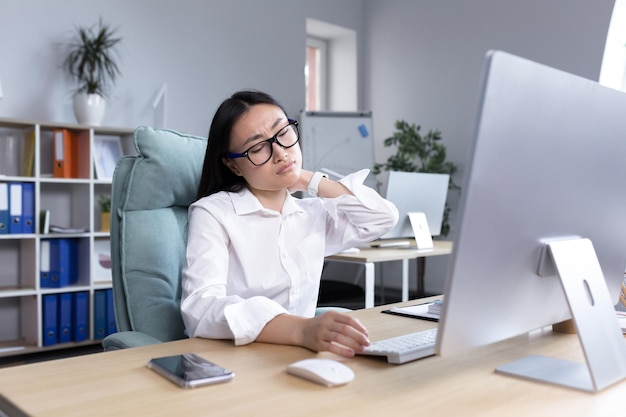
pixel 420 60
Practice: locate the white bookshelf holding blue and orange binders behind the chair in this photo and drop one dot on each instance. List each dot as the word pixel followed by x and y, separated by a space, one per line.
pixel 28 152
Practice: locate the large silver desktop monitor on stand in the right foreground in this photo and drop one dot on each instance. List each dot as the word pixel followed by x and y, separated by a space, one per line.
pixel 548 165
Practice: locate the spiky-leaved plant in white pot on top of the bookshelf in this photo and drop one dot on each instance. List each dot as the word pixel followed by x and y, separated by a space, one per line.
pixel 92 63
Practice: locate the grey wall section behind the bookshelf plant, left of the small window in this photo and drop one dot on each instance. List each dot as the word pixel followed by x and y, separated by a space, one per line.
pixel 203 49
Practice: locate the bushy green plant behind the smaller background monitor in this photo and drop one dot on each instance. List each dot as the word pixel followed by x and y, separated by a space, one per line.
pixel 419 153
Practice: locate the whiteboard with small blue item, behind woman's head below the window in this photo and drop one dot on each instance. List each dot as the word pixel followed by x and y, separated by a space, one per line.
pixel 337 143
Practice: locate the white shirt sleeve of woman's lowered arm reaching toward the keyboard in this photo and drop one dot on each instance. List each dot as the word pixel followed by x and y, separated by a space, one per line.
pixel 207 310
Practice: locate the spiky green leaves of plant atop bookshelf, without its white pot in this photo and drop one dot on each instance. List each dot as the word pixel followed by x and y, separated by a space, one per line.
pixel 92 58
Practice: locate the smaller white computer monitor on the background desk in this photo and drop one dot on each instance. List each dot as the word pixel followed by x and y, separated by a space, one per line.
pixel 416 192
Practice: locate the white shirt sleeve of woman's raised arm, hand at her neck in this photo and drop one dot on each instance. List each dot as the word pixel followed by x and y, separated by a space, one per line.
pixel 357 219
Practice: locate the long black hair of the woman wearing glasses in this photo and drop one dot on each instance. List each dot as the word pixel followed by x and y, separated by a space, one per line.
pixel 215 175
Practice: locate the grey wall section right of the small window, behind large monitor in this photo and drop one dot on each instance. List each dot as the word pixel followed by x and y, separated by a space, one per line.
pixel 425 60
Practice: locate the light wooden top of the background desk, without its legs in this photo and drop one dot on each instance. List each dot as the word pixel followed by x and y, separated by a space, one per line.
pixel 374 254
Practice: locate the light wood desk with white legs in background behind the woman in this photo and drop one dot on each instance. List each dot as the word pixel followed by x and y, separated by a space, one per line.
pixel 368 256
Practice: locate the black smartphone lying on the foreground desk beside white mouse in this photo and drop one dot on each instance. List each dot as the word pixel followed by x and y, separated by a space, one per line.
pixel 189 370
